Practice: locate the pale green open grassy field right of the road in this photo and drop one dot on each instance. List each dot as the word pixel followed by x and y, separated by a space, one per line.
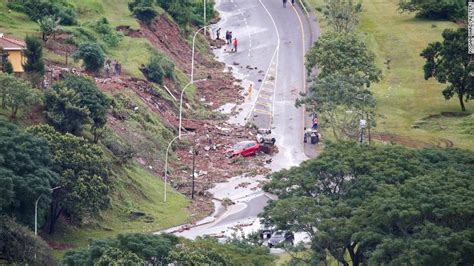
pixel 410 105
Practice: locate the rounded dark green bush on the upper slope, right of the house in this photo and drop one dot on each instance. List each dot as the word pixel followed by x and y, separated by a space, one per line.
pixel 92 55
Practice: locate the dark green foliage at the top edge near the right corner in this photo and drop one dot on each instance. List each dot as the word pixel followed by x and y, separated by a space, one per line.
pixel 436 9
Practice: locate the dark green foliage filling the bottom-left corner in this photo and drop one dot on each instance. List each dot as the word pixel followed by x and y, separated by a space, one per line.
pixel 19 246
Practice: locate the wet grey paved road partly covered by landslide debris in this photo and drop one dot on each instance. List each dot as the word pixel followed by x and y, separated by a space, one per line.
pixel 270 63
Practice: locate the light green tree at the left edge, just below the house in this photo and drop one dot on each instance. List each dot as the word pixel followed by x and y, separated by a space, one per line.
pixel 17 94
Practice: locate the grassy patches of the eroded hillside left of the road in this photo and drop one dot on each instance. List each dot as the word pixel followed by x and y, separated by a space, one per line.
pixel 134 189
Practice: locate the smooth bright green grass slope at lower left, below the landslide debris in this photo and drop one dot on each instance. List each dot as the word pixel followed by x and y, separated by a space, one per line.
pixel 135 190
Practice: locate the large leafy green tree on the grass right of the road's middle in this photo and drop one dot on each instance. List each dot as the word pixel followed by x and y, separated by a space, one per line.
pixel 340 94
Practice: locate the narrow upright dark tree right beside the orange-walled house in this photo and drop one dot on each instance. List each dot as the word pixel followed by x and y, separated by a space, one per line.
pixel 34 66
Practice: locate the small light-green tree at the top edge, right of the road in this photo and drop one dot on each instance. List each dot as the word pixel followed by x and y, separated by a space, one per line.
pixel 342 15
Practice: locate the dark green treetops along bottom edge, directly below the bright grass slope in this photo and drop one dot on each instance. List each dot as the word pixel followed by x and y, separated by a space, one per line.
pixel 153 249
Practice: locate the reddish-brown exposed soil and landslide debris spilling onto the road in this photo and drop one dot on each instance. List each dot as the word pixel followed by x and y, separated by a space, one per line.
pixel 211 137
